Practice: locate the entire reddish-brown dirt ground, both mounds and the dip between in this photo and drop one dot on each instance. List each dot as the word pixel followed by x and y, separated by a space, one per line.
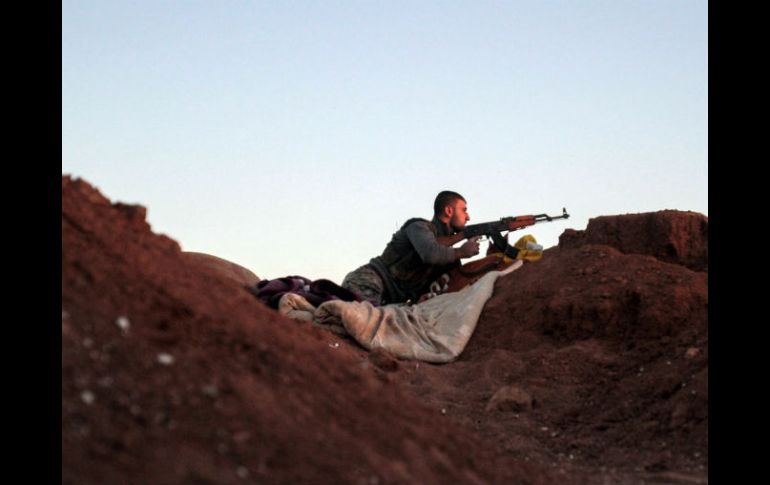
pixel 589 366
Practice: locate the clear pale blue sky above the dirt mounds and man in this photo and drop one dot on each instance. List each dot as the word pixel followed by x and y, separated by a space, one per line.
pixel 295 137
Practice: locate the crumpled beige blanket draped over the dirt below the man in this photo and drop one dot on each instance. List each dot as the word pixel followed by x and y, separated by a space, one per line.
pixel 436 330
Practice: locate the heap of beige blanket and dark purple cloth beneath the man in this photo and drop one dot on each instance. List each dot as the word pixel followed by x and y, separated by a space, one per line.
pixel 436 330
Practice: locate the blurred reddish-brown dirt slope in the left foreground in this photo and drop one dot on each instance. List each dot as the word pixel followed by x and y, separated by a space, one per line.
pixel 172 375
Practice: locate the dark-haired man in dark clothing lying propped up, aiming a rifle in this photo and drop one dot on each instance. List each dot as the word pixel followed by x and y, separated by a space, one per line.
pixel 413 258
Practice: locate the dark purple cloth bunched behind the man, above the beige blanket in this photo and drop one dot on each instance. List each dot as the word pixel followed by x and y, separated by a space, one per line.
pixel 315 292
